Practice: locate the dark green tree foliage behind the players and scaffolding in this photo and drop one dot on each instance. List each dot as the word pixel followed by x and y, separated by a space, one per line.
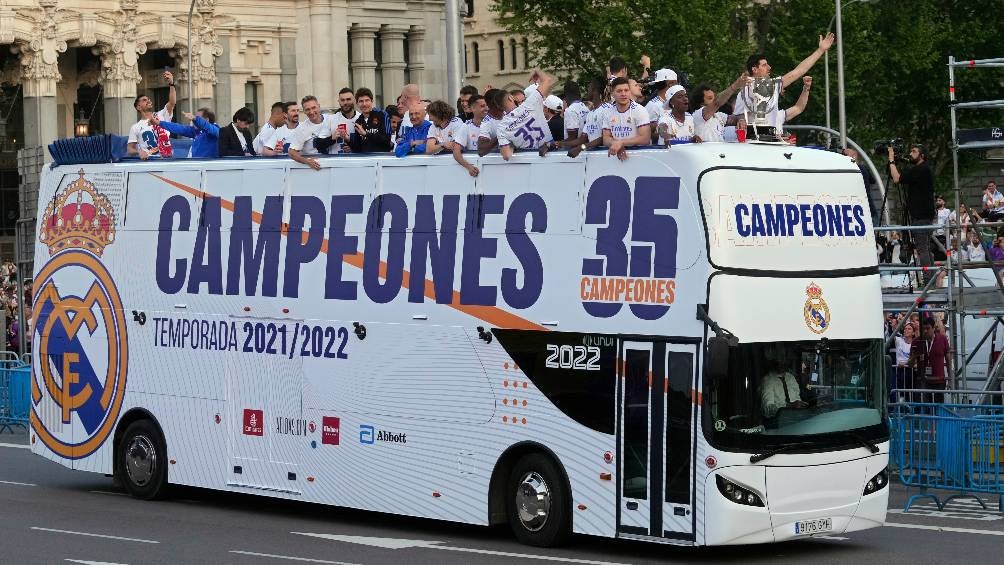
pixel 896 54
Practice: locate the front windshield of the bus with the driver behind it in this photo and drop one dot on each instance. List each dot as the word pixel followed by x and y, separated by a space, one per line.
pixel 813 392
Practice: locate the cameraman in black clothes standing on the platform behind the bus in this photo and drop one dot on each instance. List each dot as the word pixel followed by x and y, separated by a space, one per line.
pixel 920 181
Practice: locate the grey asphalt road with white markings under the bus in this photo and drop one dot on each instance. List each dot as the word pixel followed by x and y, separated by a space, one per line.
pixel 50 514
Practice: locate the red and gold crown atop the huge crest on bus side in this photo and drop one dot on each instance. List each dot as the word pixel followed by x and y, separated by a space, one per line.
pixel 81 218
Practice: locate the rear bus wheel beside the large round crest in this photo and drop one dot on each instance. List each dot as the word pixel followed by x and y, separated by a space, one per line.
pixel 143 461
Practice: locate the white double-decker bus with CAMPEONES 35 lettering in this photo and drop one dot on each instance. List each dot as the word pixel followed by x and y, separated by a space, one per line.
pixel 683 348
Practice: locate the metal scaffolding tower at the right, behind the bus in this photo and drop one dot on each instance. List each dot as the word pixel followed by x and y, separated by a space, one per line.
pixel 961 301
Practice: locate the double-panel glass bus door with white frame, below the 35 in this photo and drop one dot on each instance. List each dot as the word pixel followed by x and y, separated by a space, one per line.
pixel 656 439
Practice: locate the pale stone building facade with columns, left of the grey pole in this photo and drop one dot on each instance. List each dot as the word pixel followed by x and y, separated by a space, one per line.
pixel 77 63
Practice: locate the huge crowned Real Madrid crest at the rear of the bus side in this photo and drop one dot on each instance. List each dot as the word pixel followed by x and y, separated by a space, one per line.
pixel 80 379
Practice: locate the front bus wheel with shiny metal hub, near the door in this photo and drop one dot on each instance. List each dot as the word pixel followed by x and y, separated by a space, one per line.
pixel 539 503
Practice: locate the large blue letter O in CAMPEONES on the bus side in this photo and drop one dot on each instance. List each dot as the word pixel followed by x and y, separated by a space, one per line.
pixel 397 232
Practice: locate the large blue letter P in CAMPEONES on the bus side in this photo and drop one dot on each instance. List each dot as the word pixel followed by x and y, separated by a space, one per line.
pixel 303 246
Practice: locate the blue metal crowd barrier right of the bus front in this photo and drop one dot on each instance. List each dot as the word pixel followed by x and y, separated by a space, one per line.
pixel 956 448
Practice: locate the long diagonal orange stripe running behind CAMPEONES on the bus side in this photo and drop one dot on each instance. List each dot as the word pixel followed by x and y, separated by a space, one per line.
pixel 491 315
